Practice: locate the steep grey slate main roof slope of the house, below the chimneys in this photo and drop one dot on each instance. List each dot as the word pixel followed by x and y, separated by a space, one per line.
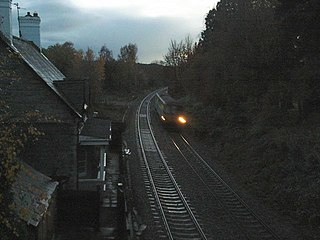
pixel 42 66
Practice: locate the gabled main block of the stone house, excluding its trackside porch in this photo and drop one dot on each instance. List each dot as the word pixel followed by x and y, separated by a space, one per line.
pixel 29 82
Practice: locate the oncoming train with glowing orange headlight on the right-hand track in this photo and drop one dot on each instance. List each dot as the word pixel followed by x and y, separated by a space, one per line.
pixel 170 111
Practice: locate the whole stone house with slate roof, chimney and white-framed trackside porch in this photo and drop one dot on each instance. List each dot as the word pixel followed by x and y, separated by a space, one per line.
pixel 73 149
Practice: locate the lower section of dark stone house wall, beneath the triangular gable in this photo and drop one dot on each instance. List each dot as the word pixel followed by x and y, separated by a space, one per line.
pixel 55 153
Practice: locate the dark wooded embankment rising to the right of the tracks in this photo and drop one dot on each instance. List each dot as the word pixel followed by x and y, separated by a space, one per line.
pixel 252 83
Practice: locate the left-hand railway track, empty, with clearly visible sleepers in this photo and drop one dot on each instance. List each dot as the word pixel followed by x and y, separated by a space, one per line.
pixel 168 202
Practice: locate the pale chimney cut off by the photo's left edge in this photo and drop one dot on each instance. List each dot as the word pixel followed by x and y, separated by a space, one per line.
pixel 5 19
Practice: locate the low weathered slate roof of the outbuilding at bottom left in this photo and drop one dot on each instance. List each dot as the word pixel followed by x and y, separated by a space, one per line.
pixel 32 193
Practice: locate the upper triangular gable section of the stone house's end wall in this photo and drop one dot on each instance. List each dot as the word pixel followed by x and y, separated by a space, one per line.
pixel 23 90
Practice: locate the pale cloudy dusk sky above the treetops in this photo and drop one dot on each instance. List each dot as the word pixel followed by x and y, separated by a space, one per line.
pixel 93 23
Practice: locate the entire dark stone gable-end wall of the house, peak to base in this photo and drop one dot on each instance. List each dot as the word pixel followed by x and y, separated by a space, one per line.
pixel 23 90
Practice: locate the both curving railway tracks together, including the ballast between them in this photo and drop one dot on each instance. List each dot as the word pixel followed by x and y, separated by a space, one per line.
pixel 171 209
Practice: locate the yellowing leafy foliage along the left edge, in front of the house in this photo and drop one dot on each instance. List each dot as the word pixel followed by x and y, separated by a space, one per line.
pixel 14 133
